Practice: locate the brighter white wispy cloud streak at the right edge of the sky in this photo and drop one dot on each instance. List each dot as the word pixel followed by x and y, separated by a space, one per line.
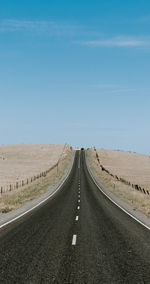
pixel 118 42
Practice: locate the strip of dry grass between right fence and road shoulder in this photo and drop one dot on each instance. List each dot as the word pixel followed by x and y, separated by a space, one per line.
pixel 135 198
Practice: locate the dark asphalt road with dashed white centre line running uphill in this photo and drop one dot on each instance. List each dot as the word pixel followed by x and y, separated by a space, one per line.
pixel 78 236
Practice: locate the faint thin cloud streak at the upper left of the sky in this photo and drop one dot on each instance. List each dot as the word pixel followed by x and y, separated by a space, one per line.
pixel 50 27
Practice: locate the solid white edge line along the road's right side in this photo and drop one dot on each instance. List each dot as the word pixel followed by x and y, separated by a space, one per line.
pixel 140 222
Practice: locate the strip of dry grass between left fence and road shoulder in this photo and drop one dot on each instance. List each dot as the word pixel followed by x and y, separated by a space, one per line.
pixel 16 198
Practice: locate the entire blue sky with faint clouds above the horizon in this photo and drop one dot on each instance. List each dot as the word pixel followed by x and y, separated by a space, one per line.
pixel 75 72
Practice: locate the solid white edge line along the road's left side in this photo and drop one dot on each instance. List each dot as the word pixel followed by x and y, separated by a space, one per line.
pixel 37 205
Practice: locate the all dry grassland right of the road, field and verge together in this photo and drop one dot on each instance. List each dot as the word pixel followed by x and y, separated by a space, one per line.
pixel 129 166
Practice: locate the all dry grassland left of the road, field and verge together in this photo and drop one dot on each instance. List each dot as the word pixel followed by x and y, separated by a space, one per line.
pixel 19 162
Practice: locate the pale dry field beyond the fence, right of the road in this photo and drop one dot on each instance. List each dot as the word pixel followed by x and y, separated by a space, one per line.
pixel 130 166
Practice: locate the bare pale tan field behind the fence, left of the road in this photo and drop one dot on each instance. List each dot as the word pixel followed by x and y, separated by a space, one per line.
pixel 21 162
